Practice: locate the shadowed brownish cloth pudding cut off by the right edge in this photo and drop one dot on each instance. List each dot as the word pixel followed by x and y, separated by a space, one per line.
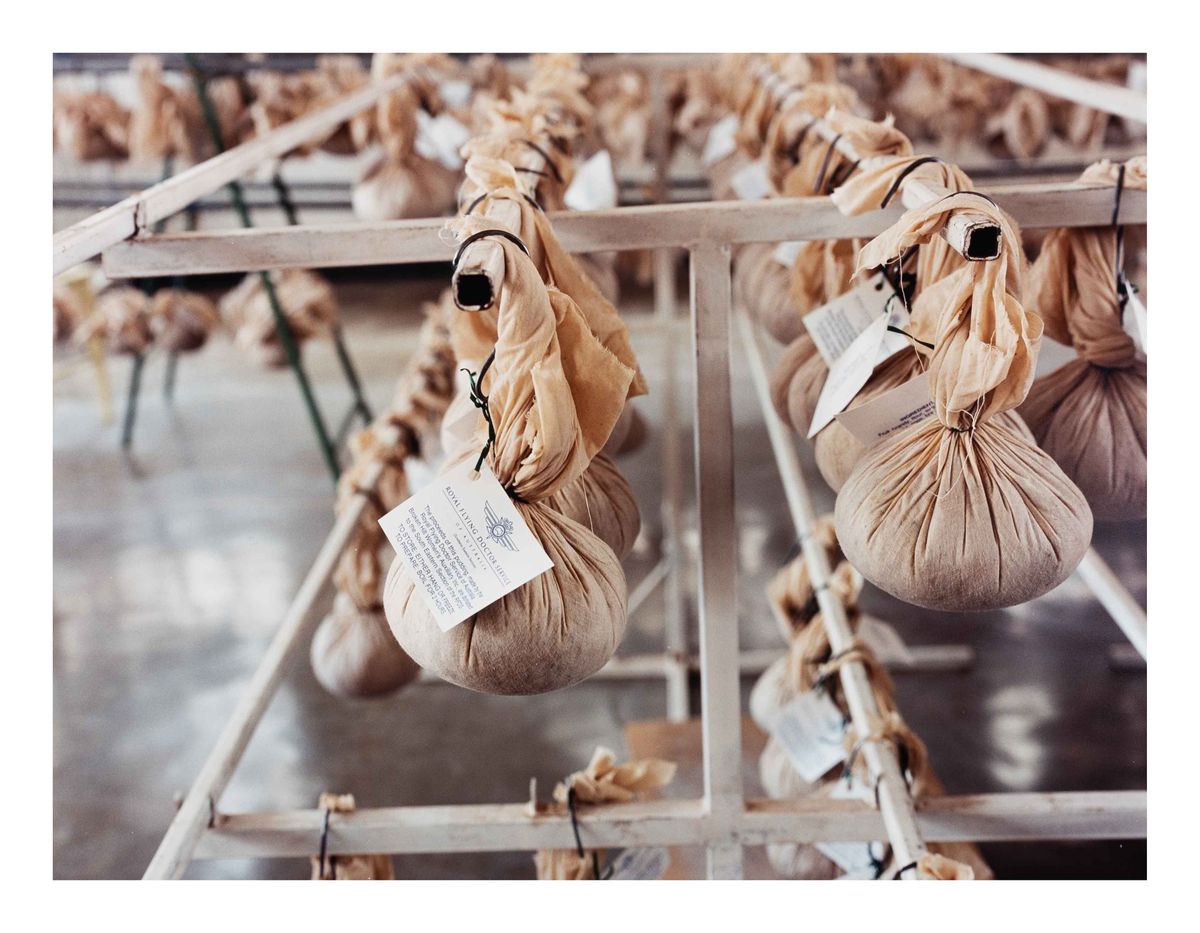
pixel 1090 416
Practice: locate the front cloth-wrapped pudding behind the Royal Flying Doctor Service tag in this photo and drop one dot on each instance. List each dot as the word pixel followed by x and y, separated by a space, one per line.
pixel 555 394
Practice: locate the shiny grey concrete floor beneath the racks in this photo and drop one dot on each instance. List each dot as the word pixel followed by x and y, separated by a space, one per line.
pixel 175 565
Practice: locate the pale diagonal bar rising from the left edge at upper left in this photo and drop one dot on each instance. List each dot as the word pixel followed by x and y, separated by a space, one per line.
pixel 141 212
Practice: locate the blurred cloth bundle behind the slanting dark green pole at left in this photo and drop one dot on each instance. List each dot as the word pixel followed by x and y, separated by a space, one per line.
pixel 307 299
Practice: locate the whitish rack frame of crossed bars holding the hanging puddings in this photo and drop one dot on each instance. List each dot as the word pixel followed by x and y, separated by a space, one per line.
pixel 723 820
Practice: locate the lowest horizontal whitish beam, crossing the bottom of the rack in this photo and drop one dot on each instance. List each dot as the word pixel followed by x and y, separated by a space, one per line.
pixel 511 828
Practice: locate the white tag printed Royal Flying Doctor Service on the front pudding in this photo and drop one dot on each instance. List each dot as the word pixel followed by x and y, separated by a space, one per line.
pixel 464 544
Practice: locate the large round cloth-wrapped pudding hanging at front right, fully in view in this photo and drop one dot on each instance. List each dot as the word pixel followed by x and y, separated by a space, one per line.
pixel 962 513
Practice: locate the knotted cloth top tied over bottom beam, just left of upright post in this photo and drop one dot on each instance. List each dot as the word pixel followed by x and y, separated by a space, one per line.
pixel 602 782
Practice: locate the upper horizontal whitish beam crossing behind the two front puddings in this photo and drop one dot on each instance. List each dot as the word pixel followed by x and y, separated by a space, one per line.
pixel 328 246
